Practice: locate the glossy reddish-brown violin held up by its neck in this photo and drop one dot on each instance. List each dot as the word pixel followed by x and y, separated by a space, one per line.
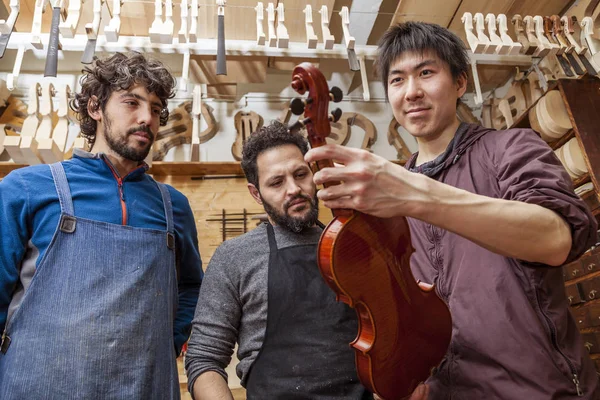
pixel 403 330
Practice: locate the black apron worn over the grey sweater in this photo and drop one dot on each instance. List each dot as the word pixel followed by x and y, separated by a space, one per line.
pixel 306 352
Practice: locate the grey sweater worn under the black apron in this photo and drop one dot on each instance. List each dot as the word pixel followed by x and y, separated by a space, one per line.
pixel 233 302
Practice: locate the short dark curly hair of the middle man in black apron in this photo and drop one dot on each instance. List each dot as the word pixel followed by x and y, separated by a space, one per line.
pixel 273 135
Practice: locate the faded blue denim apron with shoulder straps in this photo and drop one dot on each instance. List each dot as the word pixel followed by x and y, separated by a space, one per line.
pixel 97 320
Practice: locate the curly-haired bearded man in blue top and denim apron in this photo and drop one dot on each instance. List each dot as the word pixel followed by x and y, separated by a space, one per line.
pixel 99 263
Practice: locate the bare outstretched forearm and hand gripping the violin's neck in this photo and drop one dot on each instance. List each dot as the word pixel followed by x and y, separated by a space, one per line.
pixel 376 186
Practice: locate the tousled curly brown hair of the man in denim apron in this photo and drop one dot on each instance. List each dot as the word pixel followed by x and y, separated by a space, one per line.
pixel 120 72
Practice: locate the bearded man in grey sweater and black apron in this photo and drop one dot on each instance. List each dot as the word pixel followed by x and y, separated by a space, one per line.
pixel 264 291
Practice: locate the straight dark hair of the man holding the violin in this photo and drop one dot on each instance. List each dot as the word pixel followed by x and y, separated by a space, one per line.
pixel 420 37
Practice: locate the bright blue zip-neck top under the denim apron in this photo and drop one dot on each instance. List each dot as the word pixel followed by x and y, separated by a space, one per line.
pixel 30 211
